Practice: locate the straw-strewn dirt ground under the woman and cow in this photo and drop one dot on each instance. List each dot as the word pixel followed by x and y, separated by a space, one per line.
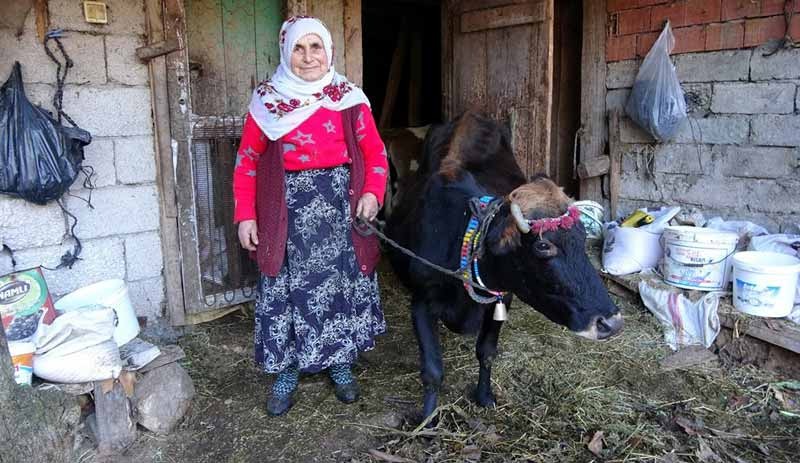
pixel 560 399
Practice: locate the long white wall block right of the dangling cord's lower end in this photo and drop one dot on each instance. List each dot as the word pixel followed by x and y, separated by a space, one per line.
pixel 117 210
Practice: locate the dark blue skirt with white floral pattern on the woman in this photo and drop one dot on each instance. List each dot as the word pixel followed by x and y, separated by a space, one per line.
pixel 320 310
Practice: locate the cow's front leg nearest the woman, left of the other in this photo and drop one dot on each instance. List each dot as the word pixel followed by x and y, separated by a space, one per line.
pixel 430 354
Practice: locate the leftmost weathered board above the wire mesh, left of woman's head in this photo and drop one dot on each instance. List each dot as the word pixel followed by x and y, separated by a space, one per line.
pixel 206 56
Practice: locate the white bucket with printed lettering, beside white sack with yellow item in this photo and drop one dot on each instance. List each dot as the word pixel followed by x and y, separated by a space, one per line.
pixel 697 258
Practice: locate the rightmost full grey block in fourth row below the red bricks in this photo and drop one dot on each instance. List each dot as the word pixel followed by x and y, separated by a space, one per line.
pixel 755 161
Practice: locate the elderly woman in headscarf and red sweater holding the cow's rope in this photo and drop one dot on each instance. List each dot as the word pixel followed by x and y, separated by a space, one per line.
pixel 310 162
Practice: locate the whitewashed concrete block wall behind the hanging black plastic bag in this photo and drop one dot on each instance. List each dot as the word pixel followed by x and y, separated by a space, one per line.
pixel 108 94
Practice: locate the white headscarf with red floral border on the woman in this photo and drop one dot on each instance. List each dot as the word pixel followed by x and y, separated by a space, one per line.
pixel 284 101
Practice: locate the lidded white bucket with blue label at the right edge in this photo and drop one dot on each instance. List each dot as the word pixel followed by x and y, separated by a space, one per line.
pixel 764 283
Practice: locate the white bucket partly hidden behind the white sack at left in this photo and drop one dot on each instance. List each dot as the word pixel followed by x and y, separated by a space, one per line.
pixel 107 293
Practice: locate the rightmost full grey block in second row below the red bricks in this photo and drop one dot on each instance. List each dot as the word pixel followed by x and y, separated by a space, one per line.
pixel 760 98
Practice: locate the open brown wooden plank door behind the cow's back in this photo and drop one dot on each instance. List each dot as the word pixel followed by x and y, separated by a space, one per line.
pixel 498 58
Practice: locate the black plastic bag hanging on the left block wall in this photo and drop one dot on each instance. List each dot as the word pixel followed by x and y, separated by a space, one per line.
pixel 40 157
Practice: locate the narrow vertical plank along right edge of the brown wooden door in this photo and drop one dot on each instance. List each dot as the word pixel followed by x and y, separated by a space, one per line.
pixel 541 78
